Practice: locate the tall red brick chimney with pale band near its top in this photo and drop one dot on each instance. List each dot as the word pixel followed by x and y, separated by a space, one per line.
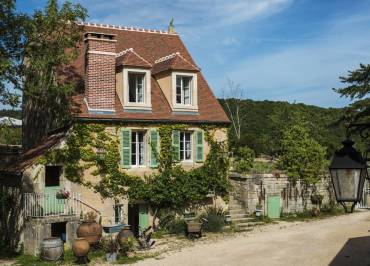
pixel 100 75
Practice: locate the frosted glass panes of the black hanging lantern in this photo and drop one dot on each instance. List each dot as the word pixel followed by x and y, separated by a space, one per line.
pixel 347 183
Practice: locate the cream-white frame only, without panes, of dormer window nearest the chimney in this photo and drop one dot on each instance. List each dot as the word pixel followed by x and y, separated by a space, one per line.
pixel 147 104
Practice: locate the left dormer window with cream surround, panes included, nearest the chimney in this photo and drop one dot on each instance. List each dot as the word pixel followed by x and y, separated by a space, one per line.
pixel 136 90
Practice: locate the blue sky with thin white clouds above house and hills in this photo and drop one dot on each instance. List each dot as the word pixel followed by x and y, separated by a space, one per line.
pixel 289 50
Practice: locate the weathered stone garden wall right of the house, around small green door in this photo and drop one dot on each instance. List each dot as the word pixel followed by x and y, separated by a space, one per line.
pixel 251 190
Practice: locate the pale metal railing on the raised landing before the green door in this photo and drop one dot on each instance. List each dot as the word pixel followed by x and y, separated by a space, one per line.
pixel 41 205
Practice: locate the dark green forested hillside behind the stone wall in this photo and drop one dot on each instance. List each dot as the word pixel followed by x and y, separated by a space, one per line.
pixel 262 123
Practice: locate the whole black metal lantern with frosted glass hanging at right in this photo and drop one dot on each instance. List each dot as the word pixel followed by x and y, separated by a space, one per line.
pixel 348 171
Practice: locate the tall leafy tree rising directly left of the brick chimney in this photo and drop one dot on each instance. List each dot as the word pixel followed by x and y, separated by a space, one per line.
pixel 52 38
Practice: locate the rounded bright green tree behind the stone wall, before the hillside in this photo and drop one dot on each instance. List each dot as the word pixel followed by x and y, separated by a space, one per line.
pixel 302 157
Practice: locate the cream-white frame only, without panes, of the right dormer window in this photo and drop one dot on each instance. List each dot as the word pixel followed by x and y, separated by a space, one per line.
pixel 180 107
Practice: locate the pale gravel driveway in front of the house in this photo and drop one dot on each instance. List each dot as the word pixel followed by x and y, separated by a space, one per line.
pixel 342 240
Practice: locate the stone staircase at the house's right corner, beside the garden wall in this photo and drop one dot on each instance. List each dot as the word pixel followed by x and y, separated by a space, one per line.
pixel 240 219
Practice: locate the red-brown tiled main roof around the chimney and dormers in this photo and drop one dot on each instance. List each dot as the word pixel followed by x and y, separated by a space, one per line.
pixel 151 46
